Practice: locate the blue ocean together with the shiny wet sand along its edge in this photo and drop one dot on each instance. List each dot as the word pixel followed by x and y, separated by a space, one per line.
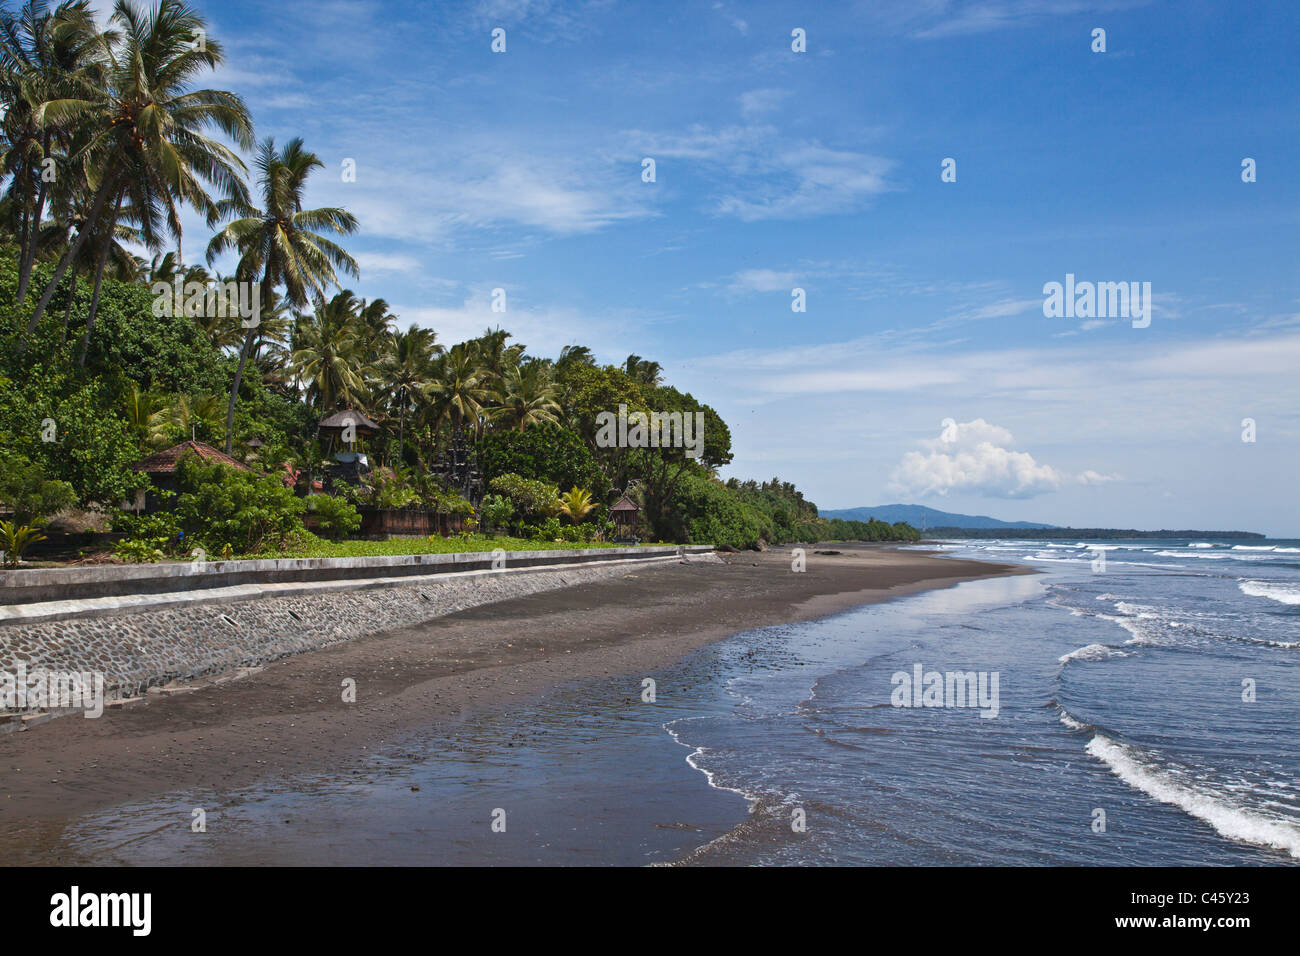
pixel 1136 712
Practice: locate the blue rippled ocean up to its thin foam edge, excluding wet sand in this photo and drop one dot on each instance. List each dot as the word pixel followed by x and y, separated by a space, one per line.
pixel 1149 715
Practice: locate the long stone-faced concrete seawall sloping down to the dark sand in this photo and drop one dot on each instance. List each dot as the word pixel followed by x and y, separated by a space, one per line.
pixel 222 618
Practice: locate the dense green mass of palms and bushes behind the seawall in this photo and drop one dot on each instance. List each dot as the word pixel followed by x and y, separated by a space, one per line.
pixel 107 135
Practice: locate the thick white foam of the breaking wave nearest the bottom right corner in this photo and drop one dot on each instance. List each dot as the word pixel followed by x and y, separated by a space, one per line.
pixel 1236 823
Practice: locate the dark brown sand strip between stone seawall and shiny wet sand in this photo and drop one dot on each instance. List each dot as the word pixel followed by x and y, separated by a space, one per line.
pixel 289 717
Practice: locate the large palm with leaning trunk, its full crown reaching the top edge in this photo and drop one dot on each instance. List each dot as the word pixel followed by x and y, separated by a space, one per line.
pixel 141 131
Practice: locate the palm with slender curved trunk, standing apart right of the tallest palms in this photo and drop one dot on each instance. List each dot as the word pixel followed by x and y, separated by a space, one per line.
pixel 280 244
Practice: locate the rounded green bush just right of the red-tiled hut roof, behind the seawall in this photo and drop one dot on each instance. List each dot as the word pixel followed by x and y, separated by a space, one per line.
pixel 236 511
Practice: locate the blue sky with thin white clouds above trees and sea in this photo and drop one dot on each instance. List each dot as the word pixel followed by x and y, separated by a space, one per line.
pixel 822 171
